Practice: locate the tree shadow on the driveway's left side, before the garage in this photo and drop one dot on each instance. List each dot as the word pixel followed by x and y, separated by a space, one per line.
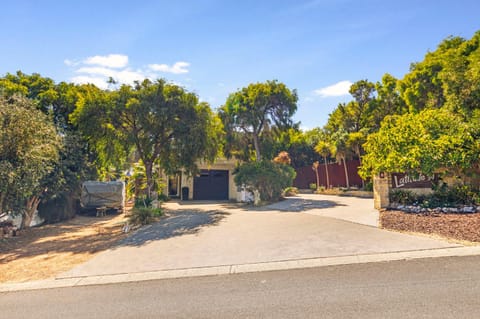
pixel 176 223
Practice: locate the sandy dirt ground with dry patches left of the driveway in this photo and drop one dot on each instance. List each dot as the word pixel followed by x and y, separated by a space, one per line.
pixel 45 251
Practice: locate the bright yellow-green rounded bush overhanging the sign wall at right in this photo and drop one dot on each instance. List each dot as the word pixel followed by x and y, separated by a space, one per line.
pixel 422 143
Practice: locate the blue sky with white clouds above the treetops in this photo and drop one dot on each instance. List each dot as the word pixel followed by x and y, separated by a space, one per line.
pixel 215 47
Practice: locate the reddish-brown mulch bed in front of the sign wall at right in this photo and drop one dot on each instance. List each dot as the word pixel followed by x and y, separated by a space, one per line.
pixel 461 227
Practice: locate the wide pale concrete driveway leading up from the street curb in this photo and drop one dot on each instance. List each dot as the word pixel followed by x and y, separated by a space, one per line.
pixel 202 234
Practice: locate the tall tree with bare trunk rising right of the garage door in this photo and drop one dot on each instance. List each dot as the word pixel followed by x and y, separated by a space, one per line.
pixel 254 110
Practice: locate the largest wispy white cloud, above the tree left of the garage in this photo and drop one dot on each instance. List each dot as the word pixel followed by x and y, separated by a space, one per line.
pixel 99 69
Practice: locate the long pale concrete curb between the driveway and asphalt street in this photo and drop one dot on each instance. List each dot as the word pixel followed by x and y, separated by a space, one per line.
pixel 241 268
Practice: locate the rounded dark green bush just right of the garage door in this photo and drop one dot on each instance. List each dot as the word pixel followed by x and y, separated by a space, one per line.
pixel 266 177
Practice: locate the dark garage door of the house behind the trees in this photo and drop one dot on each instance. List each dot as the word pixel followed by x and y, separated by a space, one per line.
pixel 211 185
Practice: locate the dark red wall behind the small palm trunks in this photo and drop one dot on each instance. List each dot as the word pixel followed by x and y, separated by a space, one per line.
pixel 336 173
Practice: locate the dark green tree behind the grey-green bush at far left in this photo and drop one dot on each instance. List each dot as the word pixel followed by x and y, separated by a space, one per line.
pixel 57 102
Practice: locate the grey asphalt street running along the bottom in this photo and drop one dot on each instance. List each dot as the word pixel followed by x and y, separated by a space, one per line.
pixel 421 288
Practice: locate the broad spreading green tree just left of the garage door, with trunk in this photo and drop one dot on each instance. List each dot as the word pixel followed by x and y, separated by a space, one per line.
pixel 161 122
